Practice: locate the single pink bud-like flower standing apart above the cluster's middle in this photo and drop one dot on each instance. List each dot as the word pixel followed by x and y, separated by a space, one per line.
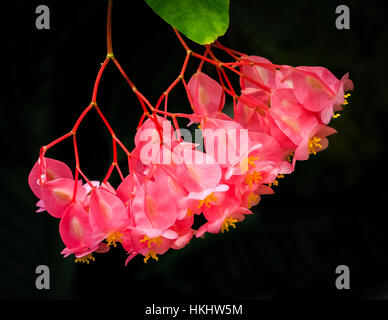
pixel 207 94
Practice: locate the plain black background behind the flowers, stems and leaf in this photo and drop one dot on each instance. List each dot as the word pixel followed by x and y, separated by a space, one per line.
pixel 331 211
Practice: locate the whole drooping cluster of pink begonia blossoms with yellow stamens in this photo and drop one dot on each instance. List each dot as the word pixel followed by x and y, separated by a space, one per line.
pixel 281 116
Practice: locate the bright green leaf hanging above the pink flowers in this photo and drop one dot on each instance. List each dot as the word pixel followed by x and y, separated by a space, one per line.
pixel 202 21
